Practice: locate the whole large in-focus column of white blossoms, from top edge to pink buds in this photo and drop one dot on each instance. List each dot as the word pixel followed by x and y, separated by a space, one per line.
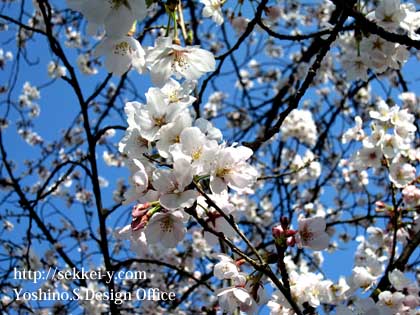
pixel 172 157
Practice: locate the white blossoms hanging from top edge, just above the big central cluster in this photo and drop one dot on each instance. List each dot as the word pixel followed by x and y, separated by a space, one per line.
pixel 122 51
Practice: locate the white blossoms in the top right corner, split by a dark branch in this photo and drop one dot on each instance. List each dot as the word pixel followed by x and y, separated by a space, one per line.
pixel 361 53
